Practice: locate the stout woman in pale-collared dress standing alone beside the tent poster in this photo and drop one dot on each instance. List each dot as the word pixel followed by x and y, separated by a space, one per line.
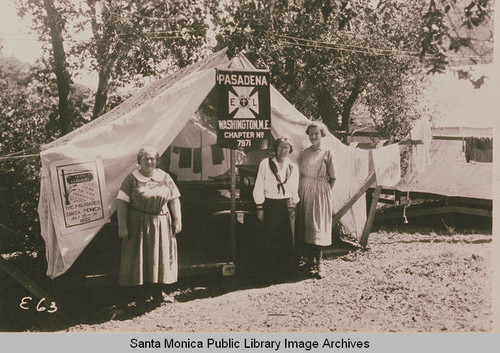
pixel 149 217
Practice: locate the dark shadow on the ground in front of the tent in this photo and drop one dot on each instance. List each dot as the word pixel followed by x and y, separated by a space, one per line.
pixel 98 304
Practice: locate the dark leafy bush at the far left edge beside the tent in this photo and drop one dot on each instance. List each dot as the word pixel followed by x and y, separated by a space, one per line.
pixel 28 119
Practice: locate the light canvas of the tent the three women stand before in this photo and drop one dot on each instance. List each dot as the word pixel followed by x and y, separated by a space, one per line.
pixel 156 116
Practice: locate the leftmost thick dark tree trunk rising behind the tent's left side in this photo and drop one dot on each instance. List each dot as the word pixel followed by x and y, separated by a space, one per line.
pixel 60 67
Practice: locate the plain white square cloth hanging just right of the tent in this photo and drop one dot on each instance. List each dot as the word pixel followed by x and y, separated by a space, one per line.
pixel 386 162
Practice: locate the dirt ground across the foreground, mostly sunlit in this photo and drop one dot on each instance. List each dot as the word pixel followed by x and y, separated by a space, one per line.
pixel 404 283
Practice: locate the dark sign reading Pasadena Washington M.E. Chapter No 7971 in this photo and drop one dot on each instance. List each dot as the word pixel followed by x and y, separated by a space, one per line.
pixel 243 109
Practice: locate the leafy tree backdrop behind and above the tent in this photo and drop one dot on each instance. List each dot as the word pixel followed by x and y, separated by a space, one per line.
pixel 336 61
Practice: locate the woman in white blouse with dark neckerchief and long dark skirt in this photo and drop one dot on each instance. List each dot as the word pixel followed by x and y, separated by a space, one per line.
pixel 276 194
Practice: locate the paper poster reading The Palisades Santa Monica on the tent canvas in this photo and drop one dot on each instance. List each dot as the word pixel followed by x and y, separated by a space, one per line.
pixel 80 195
